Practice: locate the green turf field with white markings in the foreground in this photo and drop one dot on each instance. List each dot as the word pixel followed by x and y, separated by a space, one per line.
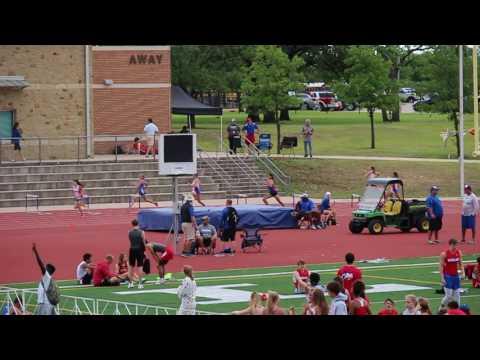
pixel 229 289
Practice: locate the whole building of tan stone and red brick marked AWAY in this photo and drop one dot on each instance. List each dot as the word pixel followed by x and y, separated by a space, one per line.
pixel 68 92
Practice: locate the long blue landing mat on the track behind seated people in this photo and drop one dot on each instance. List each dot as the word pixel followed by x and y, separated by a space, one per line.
pixel 256 216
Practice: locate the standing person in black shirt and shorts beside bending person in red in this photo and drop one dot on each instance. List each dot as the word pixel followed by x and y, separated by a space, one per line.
pixel 136 255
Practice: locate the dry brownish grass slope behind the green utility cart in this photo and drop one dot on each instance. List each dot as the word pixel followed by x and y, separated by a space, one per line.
pixel 344 177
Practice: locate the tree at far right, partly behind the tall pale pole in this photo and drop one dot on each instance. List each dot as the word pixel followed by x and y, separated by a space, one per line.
pixel 442 72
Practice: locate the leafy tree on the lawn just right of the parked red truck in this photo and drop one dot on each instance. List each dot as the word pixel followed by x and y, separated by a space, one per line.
pixel 366 82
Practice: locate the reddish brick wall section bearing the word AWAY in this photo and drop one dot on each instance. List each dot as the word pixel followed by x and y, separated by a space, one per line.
pixel 124 108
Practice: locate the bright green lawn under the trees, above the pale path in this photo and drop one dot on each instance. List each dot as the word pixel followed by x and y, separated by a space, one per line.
pixel 348 133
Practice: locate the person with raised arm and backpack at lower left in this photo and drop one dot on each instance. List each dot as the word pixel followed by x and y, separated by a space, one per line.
pixel 47 288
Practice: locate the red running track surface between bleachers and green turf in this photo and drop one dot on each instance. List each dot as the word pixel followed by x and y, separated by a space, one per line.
pixel 63 236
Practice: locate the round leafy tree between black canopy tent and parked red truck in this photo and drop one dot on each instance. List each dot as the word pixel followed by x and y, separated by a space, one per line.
pixel 269 79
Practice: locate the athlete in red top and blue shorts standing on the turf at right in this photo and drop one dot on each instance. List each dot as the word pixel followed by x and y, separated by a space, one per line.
pixel 450 264
